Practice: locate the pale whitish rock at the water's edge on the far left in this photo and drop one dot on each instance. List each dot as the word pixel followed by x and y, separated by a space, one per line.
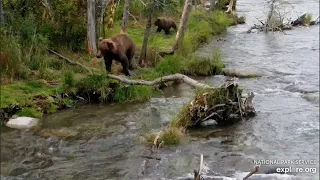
pixel 22 122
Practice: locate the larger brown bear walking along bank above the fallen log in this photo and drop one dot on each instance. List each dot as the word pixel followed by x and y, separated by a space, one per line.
pixel 120 48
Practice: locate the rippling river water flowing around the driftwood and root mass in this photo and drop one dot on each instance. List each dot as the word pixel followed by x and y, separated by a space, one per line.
pixel 286 126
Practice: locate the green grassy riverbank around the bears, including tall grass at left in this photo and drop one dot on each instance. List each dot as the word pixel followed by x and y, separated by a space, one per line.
pixel 37 82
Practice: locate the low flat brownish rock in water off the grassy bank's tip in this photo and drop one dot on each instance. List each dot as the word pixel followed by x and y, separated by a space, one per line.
pixel 241 72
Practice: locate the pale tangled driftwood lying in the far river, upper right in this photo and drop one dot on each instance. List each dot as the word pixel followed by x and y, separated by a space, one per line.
pixel 300 21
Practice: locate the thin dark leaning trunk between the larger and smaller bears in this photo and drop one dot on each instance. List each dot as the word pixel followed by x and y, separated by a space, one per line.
pixel 143 53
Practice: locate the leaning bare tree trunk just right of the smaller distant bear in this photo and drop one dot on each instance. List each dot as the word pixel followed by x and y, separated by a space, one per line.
pixel 182 25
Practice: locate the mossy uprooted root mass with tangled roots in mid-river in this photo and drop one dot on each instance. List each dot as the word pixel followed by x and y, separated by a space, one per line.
pixel 224 105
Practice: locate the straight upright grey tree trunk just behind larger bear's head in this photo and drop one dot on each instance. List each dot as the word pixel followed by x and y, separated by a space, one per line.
pixel 92 48
